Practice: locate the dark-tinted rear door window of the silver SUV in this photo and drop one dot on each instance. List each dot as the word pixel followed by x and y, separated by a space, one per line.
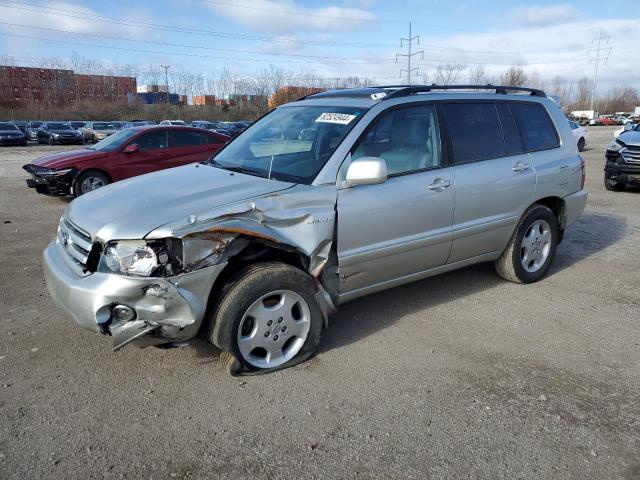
pixel 475 131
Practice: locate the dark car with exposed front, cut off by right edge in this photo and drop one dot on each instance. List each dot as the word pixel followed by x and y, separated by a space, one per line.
pixel 622 165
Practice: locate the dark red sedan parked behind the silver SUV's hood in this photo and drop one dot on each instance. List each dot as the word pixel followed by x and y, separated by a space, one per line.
pixel 127 153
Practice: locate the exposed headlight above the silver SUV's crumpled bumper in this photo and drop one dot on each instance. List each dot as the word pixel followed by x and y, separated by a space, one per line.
pixel 140 258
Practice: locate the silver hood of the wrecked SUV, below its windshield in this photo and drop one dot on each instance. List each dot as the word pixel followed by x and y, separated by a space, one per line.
pixel 132 208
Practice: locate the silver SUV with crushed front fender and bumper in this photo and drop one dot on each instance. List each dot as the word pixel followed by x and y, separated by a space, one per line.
pixel 255 247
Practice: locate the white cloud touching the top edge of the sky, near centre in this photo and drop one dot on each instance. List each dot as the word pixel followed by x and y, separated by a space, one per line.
pixel 287 15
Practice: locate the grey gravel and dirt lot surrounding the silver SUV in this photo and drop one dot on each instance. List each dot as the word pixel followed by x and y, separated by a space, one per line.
pixel 459 376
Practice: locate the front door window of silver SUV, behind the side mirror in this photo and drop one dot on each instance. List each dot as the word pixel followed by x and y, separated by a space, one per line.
pixel 408 140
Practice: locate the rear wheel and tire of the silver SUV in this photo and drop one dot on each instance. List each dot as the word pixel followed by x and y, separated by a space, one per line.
pixel 524 262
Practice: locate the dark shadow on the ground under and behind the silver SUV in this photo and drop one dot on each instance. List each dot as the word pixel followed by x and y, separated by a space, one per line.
pixel 360 318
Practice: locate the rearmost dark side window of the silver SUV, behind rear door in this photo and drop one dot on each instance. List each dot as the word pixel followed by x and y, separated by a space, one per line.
pixel 537 128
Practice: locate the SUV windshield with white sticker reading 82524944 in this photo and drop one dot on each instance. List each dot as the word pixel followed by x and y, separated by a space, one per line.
pixel 291 143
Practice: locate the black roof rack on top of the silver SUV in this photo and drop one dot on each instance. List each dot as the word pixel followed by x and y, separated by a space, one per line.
pixel 387 92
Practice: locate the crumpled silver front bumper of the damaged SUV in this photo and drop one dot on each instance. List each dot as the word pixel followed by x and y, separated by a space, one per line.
pixel 166 309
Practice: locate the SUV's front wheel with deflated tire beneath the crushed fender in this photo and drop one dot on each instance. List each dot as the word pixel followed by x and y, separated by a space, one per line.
pixel 261 289
